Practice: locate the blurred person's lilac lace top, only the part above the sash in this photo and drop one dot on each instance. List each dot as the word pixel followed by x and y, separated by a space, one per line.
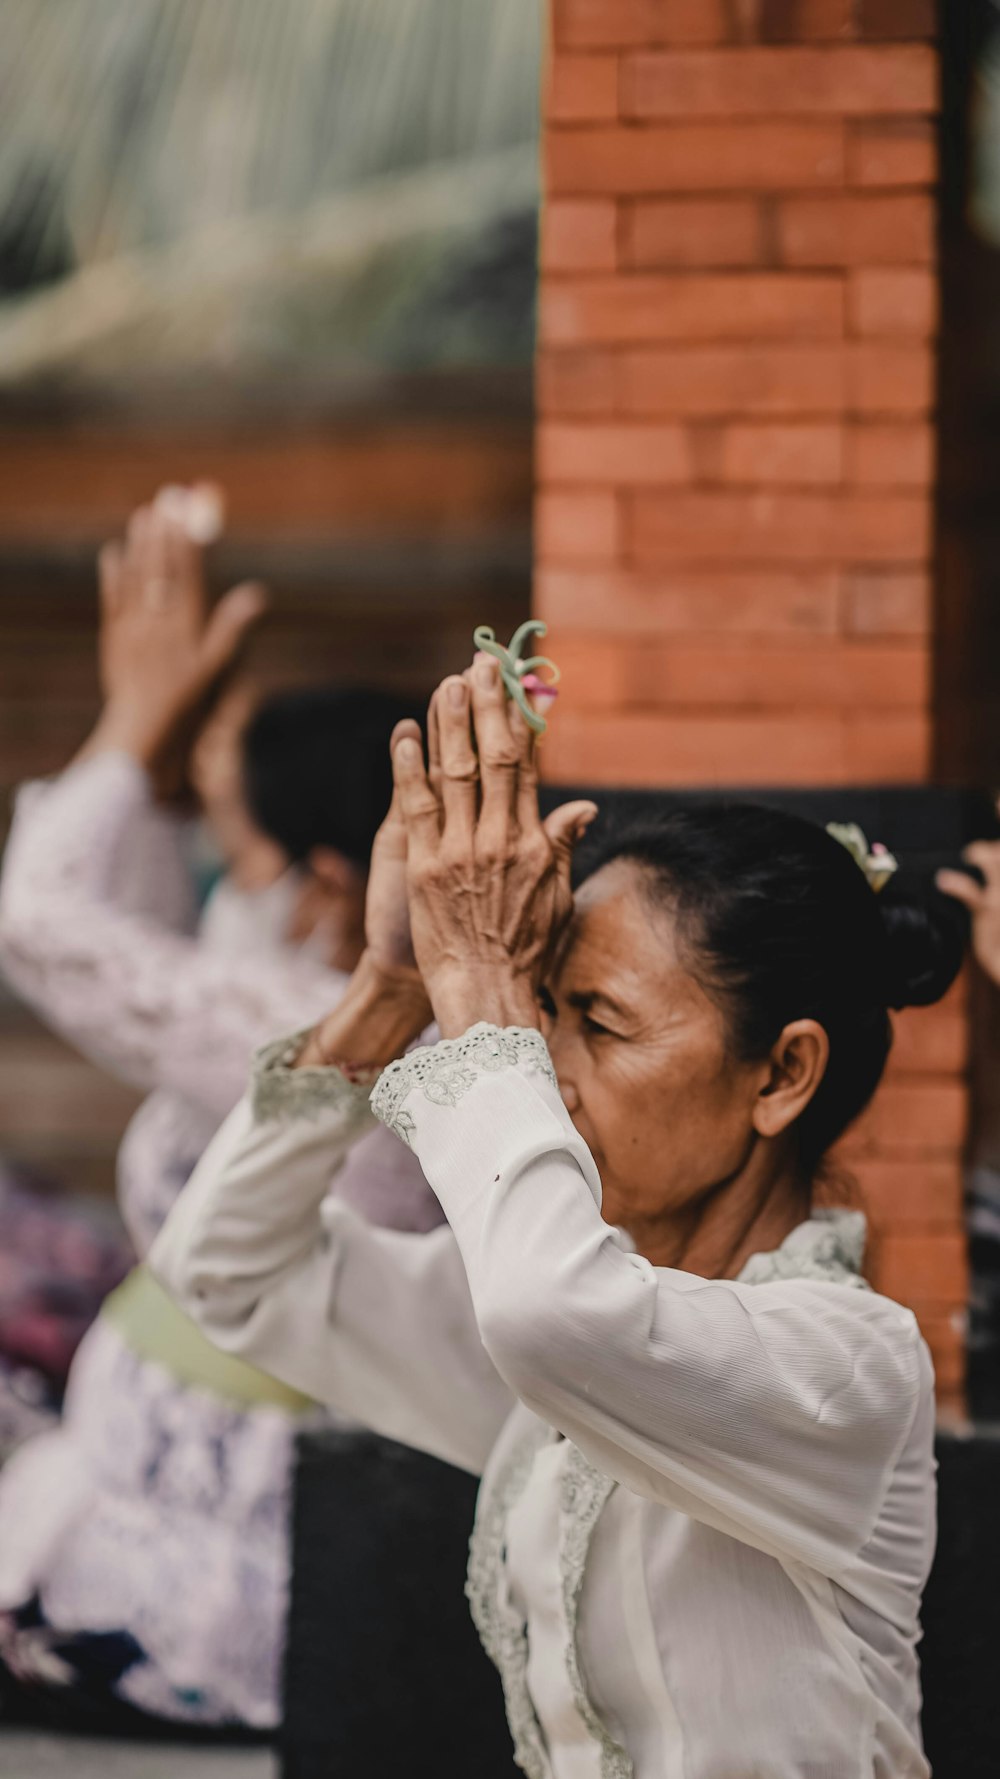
pixel 99 935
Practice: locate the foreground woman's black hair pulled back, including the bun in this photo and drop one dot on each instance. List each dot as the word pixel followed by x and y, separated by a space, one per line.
pixel 782 924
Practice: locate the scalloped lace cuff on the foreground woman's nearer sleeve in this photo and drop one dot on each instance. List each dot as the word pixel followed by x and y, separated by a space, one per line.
pixel 448 1070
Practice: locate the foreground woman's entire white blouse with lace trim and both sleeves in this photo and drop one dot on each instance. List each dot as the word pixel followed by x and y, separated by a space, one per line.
pixel 707 1508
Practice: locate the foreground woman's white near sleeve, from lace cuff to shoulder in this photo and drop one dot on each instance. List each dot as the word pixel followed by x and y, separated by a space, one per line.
pixel 770 1412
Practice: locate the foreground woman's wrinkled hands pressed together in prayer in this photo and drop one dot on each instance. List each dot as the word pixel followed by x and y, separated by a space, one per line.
pixel 469 889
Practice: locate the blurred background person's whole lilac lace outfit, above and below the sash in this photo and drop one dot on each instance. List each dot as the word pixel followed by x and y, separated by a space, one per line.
pixel 156 1508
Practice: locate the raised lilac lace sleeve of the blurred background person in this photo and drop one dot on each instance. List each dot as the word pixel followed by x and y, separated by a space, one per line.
pixel 115 978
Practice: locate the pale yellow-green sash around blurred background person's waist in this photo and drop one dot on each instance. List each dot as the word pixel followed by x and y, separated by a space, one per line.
pixel 154 1328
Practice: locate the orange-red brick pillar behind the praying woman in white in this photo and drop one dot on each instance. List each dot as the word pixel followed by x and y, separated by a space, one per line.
pixel 736 455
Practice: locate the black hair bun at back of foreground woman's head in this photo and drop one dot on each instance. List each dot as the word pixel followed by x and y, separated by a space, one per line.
pixel 926 940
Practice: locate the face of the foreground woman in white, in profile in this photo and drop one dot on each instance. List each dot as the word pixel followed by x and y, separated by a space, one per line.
pixel 641 1058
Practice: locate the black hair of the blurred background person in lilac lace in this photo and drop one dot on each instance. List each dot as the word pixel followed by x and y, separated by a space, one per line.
pixel 318 768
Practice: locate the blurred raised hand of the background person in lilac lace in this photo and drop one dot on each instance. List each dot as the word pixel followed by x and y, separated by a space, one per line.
pixel 163 650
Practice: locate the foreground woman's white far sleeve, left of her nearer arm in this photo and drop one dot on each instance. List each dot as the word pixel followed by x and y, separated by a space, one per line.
pixel 378 1324
